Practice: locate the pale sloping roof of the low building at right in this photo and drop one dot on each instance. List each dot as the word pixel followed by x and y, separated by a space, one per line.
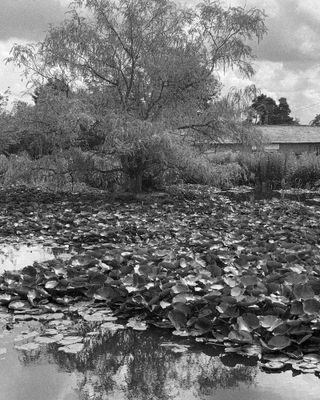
pixel 290 134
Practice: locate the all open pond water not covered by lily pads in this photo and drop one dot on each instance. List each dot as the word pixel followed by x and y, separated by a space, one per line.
pixel 129 364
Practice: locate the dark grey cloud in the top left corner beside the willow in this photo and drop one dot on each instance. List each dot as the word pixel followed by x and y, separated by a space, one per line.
pixel 29 19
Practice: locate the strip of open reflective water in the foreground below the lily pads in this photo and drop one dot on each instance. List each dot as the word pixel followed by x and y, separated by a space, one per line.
pixel 141 366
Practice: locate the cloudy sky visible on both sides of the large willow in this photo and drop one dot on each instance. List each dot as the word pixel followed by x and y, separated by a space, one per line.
pixel 287 60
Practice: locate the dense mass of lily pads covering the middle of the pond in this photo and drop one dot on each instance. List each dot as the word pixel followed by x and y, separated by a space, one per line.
pixel 242 275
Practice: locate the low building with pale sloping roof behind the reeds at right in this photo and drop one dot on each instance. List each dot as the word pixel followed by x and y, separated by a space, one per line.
pixel 277 138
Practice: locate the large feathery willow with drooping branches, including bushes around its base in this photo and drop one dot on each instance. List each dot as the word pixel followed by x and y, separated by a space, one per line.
pixel 122 83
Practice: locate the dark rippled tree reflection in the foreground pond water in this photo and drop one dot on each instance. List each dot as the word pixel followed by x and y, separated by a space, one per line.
pixel 133 365
